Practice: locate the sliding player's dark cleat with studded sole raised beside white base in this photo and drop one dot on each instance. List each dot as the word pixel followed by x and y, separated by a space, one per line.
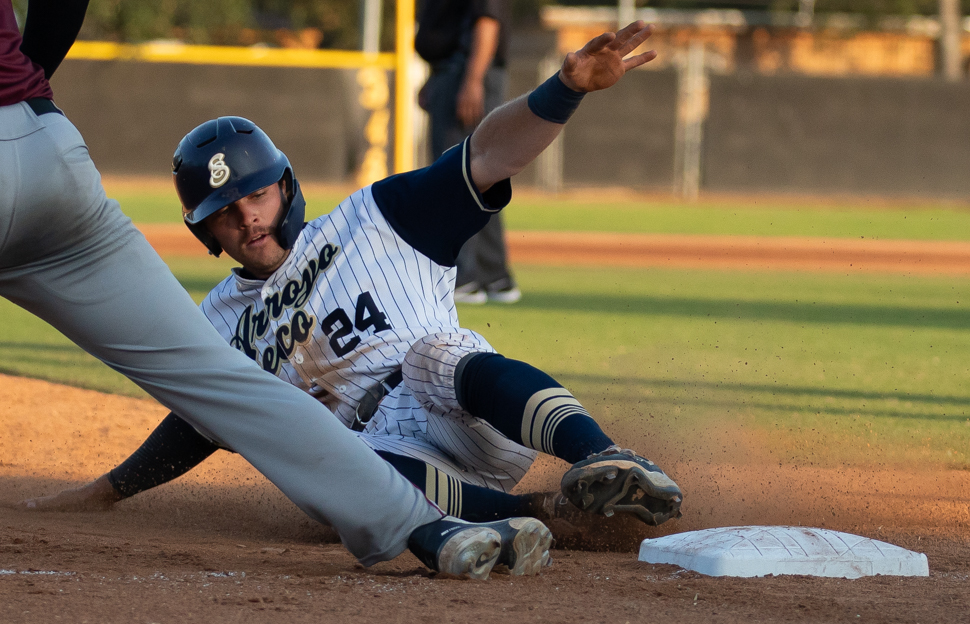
pixel 620 481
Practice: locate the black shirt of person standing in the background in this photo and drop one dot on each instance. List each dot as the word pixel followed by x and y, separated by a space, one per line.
pixel 445 28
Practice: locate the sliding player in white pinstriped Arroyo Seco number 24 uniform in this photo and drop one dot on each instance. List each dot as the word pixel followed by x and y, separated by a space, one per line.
pixel 357 309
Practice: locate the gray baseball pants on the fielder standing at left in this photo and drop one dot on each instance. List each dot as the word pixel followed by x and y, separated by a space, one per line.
pixel 69 255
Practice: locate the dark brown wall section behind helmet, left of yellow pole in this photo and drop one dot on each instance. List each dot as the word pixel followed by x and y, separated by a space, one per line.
pixel 133 114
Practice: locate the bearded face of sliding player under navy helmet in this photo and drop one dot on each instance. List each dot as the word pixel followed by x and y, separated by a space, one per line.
pixel 245 229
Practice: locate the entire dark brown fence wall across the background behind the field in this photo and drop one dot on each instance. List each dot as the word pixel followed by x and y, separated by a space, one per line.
pixel 763 133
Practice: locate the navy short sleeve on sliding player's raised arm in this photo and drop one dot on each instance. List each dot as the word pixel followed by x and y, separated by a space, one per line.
pixel 438 208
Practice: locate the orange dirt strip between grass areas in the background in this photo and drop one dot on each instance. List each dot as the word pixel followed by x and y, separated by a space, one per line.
pixel 727 252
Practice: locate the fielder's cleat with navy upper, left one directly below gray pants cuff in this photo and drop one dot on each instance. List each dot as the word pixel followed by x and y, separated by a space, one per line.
pixel 453 546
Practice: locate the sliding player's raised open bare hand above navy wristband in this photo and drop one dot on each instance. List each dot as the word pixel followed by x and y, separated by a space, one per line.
pixel 601 63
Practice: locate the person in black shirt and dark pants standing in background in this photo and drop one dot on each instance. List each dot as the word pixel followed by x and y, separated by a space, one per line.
pixel 466 44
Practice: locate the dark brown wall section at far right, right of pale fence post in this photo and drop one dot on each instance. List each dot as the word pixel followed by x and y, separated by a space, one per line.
pixel 829 135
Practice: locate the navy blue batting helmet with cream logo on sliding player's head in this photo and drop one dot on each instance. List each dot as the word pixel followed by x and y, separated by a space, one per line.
pixel 224 160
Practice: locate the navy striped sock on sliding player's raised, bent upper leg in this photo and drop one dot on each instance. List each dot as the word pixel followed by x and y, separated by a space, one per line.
pixel 527 406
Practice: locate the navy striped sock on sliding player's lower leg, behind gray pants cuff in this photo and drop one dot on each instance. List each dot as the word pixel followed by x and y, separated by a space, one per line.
pixel 456 498
